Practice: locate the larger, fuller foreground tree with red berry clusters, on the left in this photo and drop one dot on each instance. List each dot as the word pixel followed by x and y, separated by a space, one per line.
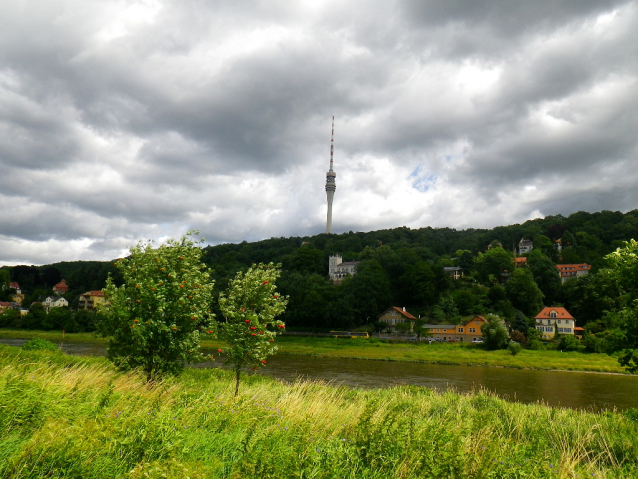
pixel 153 320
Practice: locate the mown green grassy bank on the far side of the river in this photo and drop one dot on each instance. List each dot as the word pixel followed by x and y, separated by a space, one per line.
pixel 374 349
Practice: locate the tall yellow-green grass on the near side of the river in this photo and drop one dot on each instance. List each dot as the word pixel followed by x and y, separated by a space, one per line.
pixel 69 417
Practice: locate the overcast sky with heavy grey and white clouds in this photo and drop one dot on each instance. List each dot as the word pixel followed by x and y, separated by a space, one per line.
pixel 128 120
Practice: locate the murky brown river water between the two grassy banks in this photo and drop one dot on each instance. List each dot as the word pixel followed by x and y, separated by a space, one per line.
pixel 592 391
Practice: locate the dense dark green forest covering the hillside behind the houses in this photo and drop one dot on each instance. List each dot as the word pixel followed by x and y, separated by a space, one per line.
pixel 404 267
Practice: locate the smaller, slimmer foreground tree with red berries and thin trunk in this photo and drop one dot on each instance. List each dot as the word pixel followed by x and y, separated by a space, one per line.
pixel 250 306
